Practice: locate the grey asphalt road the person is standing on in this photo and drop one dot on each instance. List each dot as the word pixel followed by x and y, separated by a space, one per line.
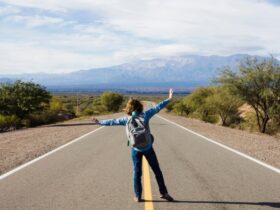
pixel 96 173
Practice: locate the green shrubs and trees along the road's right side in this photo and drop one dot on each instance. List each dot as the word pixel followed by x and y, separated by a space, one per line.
pixel 246 99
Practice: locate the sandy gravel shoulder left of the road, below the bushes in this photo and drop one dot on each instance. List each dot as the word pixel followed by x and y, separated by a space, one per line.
pixel 20 146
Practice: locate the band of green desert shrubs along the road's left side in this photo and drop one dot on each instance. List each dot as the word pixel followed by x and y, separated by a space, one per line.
pixel 26 104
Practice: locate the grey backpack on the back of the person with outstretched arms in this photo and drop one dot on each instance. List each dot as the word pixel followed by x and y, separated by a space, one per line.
pixel 138 133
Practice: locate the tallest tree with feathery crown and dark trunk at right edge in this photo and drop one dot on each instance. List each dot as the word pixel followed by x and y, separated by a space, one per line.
pixel 258 83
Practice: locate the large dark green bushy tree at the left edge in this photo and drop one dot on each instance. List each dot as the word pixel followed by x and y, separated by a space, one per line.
pixel 22 104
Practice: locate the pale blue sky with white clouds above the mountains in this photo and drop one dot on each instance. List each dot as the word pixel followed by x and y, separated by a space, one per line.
pixel 58 36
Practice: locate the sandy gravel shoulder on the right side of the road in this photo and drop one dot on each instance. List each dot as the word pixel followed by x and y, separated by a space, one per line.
pixel 260 146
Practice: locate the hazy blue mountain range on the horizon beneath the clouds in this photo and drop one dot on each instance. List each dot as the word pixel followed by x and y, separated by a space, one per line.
pixel 176 71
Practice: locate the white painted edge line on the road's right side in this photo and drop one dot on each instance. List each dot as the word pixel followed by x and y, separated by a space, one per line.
pixel 225 147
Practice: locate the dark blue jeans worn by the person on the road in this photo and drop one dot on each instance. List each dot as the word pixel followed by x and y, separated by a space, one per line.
pixel 151 157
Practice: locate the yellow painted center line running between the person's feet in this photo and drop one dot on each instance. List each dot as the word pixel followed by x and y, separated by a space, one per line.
pixel 147 186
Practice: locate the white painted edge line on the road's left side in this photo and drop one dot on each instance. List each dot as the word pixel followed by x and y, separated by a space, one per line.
pixel 46 154
